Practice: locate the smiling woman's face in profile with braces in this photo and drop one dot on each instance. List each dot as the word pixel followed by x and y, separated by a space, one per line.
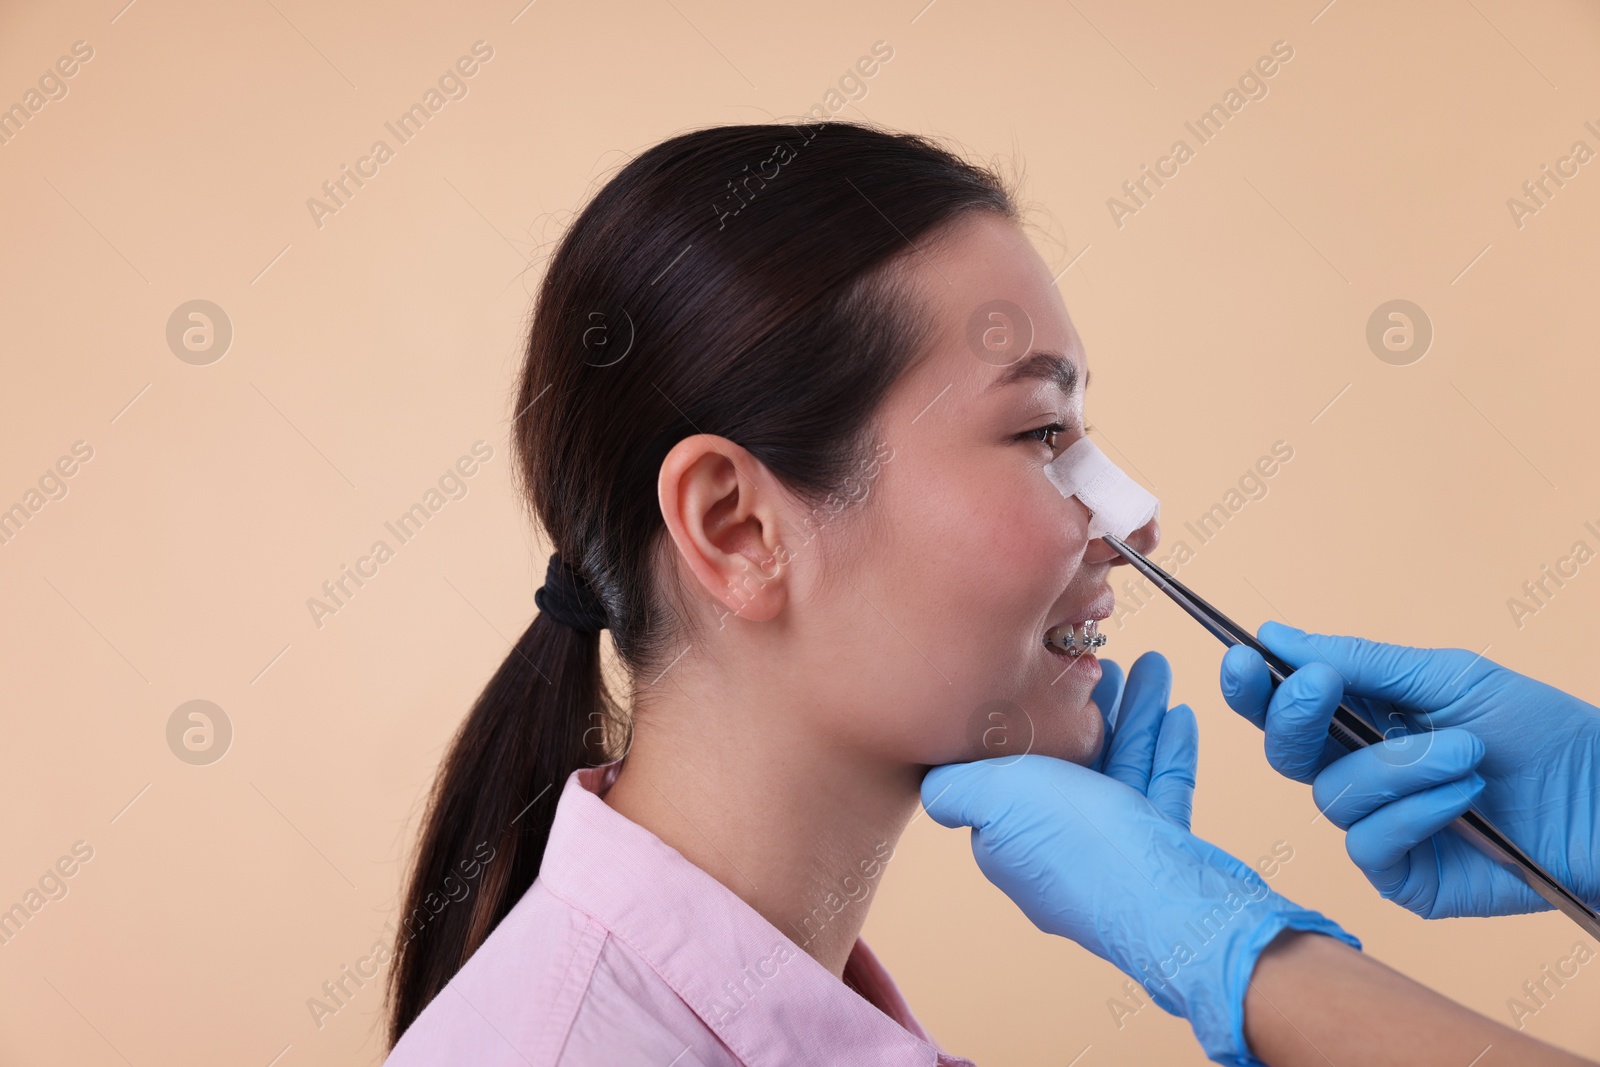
pixel 927 636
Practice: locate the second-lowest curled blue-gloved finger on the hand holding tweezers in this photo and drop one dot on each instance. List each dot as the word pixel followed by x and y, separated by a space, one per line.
pixel 1359 785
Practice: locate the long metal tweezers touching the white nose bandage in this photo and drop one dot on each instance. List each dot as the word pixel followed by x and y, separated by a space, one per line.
pixel 1351 730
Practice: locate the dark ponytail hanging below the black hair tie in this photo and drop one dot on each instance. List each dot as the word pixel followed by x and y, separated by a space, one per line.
pixel 494 804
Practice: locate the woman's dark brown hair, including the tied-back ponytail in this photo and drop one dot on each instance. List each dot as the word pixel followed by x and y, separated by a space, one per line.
pixel 732 281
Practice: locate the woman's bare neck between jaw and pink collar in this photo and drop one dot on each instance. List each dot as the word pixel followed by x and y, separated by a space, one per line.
pixel 798 829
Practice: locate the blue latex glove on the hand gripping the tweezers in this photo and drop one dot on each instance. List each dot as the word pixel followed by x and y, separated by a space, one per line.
pixel 1526 754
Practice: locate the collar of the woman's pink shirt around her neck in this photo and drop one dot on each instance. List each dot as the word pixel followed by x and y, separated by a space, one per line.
pixel 762 994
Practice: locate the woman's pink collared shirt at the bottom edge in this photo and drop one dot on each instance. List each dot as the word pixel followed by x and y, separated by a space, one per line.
pixel 625 953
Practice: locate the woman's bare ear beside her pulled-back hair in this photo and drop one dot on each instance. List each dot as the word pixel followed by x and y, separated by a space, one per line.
pixel 722 508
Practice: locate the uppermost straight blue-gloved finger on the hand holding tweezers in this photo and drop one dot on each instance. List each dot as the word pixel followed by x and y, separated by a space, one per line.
pixel 1423 679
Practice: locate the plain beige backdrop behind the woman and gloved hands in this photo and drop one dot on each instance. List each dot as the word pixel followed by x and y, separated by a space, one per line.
pixel 372 353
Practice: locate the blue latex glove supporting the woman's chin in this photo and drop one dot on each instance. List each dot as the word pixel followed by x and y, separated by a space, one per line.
pixel 1108 858
